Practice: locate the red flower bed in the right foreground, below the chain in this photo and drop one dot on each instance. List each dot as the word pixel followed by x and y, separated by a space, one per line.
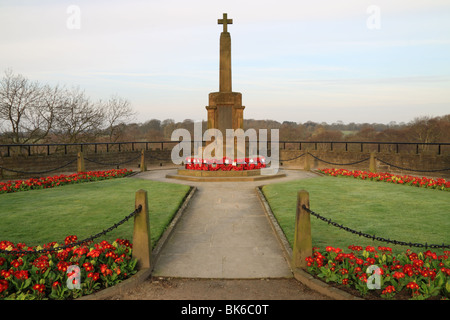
pixel 408 275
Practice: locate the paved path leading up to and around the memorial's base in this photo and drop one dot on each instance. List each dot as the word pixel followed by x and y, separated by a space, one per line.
pixel 224 233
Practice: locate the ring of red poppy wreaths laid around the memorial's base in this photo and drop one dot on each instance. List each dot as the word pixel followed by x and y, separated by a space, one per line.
pixel 225 164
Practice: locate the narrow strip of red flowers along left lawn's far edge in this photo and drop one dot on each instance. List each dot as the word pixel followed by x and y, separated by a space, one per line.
pixel 55 181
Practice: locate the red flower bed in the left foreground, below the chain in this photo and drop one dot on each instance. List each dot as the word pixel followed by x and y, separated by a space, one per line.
pixel 63 273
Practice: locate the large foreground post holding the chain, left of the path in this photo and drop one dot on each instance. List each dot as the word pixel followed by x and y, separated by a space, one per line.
pixel 142 244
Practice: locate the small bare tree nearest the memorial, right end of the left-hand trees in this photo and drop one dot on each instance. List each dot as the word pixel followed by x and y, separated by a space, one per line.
pixel 116 112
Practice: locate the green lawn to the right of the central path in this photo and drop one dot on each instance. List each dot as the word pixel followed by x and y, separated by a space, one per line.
pixel 397 212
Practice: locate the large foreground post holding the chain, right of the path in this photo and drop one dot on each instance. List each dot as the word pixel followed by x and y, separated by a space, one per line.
pixel 302 240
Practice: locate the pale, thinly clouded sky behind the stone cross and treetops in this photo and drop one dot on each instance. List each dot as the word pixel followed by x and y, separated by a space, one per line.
pixel 324 61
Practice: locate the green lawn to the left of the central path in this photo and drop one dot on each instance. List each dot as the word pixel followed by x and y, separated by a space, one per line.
pixel 42 216
